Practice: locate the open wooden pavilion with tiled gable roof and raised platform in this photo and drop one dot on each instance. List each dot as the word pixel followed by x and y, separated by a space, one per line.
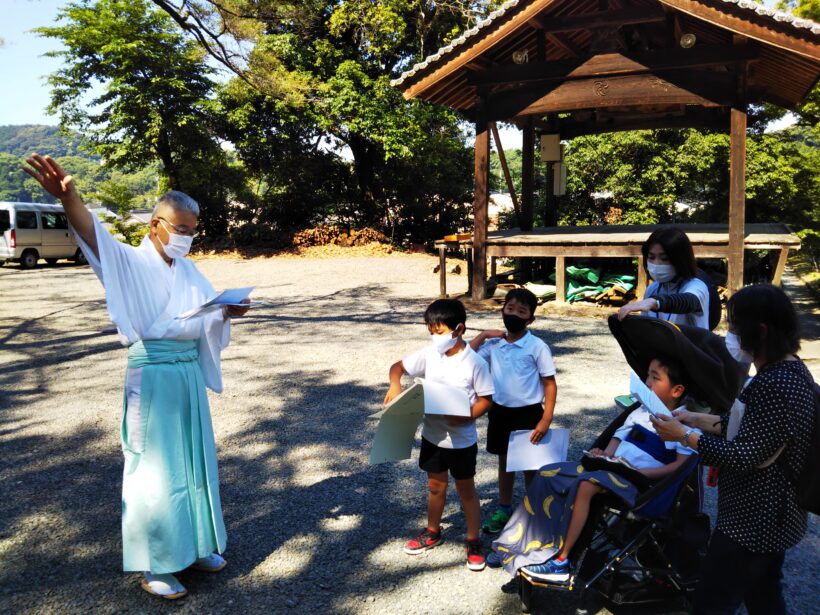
pixel 581 67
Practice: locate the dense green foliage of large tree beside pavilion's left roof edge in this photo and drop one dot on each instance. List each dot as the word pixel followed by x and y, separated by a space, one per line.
pixel 318 82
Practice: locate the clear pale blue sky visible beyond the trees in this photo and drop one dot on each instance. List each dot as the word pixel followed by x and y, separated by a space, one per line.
pixel 23 67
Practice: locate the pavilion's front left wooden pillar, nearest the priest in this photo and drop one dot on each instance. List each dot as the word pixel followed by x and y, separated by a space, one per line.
pixel 481 200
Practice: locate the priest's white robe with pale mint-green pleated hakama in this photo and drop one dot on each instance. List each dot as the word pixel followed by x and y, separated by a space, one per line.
pixel 171 512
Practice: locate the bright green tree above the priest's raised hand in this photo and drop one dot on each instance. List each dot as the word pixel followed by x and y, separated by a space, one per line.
pixel 153 103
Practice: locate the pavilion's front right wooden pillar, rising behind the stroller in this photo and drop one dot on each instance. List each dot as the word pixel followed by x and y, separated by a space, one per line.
pixel 737 199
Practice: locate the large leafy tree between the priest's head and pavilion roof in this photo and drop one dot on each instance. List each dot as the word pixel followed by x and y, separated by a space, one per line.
pixel 320 71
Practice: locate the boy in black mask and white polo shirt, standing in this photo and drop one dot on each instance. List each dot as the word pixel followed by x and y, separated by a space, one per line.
pixel 525 390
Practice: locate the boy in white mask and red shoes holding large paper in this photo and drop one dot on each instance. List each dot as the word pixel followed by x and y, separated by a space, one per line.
pixel 448 443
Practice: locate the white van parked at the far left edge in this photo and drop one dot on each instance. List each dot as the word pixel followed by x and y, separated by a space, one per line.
pixel 31 231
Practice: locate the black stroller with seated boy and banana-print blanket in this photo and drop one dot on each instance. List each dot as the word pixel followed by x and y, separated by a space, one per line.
pixel 538 541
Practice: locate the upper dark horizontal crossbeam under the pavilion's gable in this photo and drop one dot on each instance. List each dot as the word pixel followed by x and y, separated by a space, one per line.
pixel 613 64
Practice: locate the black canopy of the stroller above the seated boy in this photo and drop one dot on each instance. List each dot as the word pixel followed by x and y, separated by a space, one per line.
pixel 712 374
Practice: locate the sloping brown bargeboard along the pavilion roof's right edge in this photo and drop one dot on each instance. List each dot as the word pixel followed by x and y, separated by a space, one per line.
pixel 728 17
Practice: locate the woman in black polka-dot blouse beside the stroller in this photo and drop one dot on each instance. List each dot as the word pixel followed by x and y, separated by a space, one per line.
pixel 758 515
